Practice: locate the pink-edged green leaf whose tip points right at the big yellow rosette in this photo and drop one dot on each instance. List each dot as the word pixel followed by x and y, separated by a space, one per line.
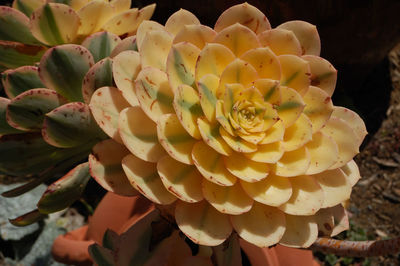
pixel 70 125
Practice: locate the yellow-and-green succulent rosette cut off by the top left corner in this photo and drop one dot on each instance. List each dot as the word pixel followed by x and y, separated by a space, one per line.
pixel 31 26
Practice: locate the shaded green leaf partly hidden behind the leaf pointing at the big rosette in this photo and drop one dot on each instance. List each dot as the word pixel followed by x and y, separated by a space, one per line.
pixel 27 110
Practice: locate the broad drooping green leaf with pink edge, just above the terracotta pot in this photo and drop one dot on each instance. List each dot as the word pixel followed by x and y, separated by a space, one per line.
pixel 65 191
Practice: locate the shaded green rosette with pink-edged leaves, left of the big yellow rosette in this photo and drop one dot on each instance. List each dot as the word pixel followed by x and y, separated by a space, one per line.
pixel 46 129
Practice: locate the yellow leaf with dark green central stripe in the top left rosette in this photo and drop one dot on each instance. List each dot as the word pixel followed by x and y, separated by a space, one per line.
pixel 55 24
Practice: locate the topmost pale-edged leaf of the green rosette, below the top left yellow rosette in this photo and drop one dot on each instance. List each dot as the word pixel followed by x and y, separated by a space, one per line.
pixel 101 44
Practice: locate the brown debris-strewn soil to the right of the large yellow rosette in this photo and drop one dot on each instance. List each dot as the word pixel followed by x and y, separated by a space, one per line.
pixel 375 201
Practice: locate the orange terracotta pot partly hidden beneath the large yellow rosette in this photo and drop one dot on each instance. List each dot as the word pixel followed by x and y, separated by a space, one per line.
pixel 120 213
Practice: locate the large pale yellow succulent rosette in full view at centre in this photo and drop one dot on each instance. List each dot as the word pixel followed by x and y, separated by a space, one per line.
pixel 233 127
